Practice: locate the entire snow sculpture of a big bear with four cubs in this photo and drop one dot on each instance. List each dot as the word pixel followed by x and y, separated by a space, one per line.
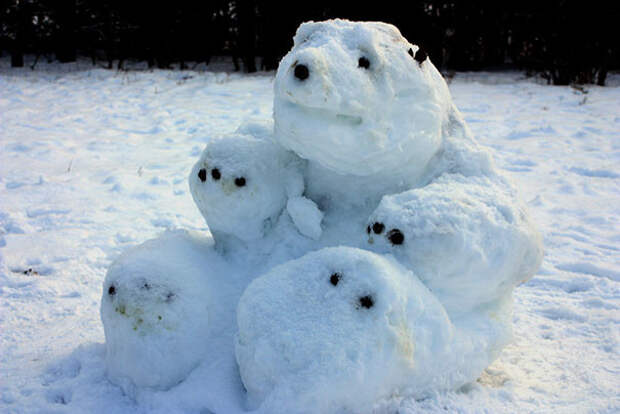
pixel 388 242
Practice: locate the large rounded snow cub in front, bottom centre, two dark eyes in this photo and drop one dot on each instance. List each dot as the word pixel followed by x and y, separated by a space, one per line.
pixel 336 329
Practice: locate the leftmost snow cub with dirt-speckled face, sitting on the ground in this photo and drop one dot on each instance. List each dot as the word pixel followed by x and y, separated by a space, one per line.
pixel 156 306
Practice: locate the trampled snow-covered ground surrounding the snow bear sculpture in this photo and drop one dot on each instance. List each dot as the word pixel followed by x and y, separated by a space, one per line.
pixel 94 161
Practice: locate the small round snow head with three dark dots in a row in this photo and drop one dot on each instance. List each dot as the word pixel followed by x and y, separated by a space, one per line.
pixel 240 184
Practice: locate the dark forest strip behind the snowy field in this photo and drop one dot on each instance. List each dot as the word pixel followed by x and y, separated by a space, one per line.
pixel 565 41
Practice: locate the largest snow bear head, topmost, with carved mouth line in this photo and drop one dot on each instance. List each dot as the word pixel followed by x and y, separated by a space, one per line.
pixel 359 99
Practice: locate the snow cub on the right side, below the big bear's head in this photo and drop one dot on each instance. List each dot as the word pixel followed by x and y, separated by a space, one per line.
pixel 468 238
